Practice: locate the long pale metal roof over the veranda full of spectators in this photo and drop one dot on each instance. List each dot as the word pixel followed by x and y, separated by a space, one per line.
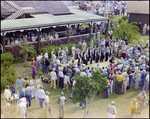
pixel 45 20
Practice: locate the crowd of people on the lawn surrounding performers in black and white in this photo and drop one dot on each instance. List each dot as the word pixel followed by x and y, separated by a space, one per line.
pixel 133 68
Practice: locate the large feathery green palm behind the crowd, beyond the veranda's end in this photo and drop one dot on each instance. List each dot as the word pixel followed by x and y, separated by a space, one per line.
pixel 125 29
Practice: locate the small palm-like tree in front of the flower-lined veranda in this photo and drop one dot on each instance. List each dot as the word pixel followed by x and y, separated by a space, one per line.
pixel 25 49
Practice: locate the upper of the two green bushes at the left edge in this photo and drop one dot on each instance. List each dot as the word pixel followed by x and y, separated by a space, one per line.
pixel 7 57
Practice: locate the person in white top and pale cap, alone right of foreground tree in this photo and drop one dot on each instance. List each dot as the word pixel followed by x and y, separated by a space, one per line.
pixel 111 110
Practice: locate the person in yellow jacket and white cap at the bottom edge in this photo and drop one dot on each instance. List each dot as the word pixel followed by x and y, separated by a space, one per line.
pixel 133 108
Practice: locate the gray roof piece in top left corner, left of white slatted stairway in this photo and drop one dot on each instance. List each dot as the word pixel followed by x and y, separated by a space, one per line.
pixel 7 7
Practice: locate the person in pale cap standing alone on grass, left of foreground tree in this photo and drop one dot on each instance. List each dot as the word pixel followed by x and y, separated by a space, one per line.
pixel 61 102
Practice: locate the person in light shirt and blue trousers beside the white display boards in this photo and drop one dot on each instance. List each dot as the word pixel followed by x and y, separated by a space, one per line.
pixel 28 91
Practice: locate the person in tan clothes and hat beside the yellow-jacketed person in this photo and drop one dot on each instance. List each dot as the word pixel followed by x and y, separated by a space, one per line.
pixel 142 99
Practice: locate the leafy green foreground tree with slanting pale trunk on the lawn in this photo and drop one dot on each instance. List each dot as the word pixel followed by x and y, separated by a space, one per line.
pixel 85 89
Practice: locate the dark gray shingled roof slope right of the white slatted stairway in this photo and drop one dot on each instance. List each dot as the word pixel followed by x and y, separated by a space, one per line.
pixel 52 7
